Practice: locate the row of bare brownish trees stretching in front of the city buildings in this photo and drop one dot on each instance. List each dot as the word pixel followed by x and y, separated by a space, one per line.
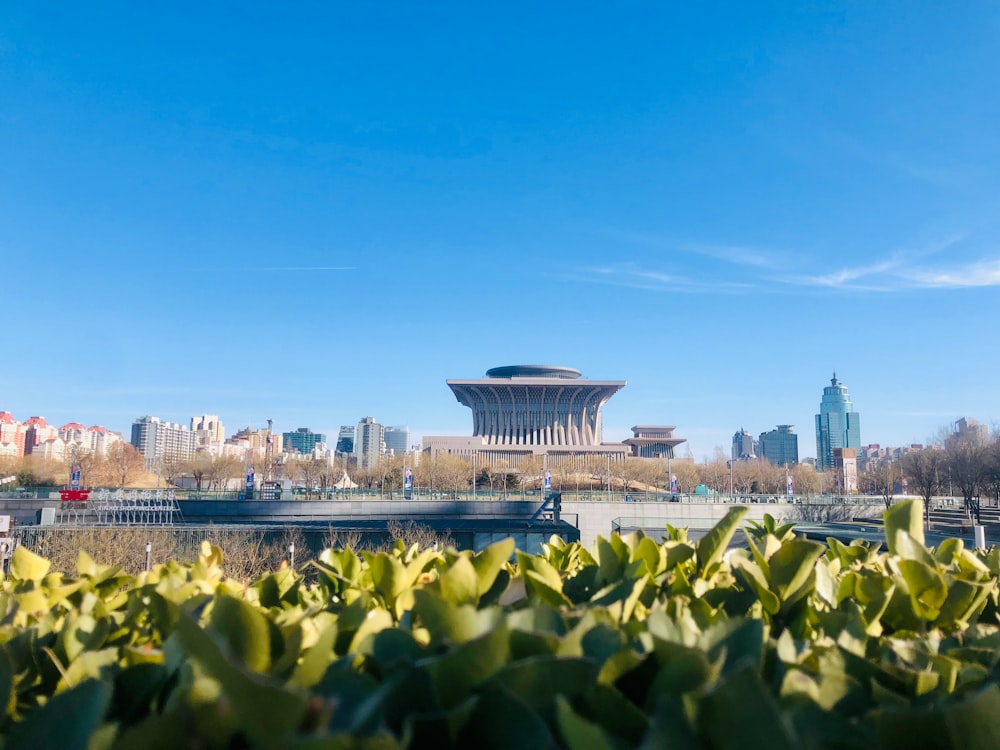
pixel 964 465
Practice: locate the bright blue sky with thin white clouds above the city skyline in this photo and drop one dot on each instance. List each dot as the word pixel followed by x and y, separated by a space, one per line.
pixel 322 212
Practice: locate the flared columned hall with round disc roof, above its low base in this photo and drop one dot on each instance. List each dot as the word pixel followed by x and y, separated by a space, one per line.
pixel 536 405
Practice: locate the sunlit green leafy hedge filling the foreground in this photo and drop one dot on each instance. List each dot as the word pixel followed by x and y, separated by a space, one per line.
pixel 786 643
